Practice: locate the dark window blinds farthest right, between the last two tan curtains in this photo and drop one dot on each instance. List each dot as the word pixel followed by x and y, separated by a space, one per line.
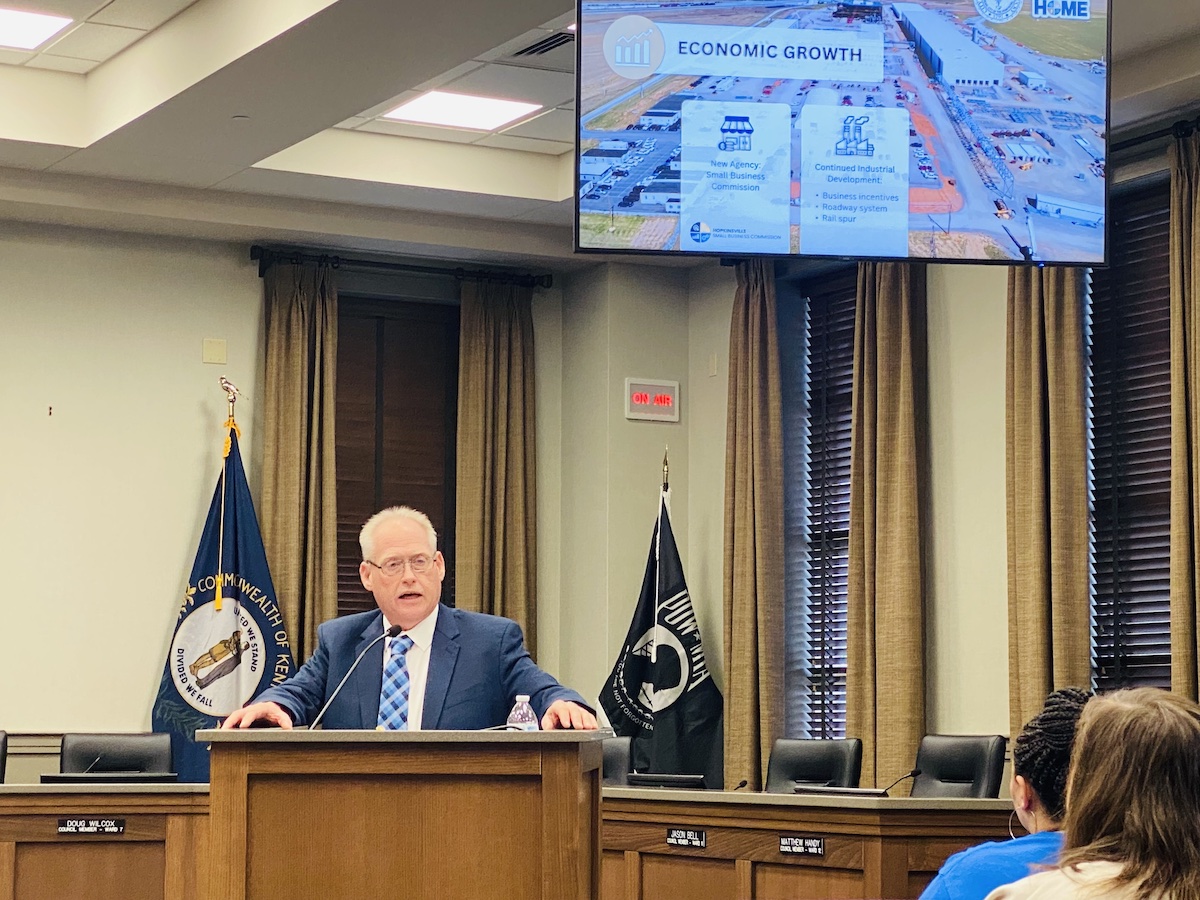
pixel 1131 448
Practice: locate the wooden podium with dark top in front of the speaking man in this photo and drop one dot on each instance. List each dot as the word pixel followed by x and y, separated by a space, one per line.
pixel 430 814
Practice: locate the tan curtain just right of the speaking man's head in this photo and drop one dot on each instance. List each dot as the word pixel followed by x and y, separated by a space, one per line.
pixel 496 529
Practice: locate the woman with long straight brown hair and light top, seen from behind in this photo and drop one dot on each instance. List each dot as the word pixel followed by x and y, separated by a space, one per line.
pixel 1133 813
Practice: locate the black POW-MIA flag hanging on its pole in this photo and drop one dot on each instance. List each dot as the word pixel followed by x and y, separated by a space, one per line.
pixel 661 693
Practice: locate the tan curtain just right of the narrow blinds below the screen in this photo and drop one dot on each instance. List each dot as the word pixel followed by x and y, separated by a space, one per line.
pixel 886 584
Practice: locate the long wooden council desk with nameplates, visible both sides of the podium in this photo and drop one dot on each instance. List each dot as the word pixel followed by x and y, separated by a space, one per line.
pixel 656 844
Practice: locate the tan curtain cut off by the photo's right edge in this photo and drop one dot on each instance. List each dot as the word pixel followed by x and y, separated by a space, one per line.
pixel 1185 155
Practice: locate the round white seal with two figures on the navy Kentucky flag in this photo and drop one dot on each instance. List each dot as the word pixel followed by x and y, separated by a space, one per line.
pixel 217 661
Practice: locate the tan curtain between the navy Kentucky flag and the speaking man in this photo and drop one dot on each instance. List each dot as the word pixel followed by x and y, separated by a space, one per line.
pixel 299 482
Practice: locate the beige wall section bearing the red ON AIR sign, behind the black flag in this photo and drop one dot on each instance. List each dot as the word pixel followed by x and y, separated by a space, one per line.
pixel 619 322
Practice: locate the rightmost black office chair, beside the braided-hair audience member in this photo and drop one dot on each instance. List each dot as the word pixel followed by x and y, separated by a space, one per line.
pixel 961 766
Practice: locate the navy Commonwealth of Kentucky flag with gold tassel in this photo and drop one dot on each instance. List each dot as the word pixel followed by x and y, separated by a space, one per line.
pixel 230 640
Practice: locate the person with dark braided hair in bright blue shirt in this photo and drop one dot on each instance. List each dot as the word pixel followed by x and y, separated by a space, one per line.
pixel 1041 759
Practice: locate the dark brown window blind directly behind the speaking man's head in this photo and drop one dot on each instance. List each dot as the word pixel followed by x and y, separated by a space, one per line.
pixel 397 418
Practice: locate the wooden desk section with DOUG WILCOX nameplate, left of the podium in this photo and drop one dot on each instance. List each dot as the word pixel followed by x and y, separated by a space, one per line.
pixel 161 856
